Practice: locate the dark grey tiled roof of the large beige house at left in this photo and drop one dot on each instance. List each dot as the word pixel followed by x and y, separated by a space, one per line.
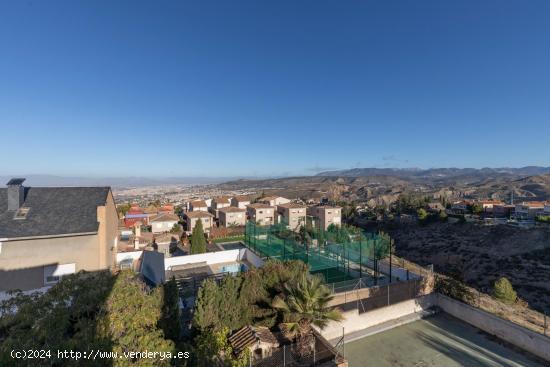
pixel 53 211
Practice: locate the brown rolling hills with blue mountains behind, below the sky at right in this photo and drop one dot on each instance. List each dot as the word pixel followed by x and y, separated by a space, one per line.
pixel 384 185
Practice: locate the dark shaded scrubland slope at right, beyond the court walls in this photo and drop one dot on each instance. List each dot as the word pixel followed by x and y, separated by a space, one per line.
pixel 482 254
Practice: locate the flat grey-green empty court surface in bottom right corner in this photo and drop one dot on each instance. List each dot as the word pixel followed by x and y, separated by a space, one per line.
pixel 439 340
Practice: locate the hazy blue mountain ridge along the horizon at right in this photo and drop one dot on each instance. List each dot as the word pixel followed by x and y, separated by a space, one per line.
pixel 439 173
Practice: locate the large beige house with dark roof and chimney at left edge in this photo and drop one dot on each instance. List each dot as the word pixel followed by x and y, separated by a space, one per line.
pixel 49 232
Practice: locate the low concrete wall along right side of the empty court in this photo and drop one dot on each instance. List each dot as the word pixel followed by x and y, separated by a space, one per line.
pixel 523 338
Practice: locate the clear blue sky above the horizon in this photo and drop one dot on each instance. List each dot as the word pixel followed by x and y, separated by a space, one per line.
pixel 181 88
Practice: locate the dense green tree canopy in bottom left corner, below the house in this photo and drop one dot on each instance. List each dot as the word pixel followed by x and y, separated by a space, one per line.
pixel 83 312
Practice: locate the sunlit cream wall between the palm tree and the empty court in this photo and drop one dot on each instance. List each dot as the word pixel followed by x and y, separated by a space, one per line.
pixel 353 321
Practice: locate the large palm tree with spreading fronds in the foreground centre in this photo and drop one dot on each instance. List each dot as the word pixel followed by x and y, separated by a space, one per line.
pixel 305 303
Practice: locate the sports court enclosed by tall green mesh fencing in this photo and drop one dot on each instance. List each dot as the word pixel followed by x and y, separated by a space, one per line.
pixel 338 254
